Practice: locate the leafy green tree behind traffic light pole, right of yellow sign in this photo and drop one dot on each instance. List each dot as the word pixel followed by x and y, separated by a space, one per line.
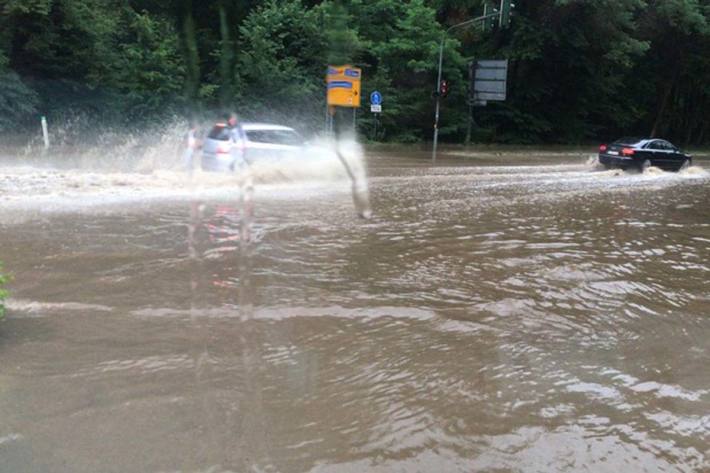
pixel 401 46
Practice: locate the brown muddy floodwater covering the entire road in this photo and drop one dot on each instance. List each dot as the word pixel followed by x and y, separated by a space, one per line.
pixel 508 313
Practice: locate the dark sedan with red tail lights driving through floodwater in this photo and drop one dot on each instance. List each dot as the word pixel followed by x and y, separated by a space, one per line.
pixel 642 153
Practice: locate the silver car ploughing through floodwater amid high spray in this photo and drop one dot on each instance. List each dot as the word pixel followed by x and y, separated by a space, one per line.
pixel 226 149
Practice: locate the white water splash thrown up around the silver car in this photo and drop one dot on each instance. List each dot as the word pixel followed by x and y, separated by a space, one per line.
pixel 114 168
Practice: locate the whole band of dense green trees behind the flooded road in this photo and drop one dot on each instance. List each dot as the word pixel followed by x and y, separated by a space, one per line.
pixel 579 69
